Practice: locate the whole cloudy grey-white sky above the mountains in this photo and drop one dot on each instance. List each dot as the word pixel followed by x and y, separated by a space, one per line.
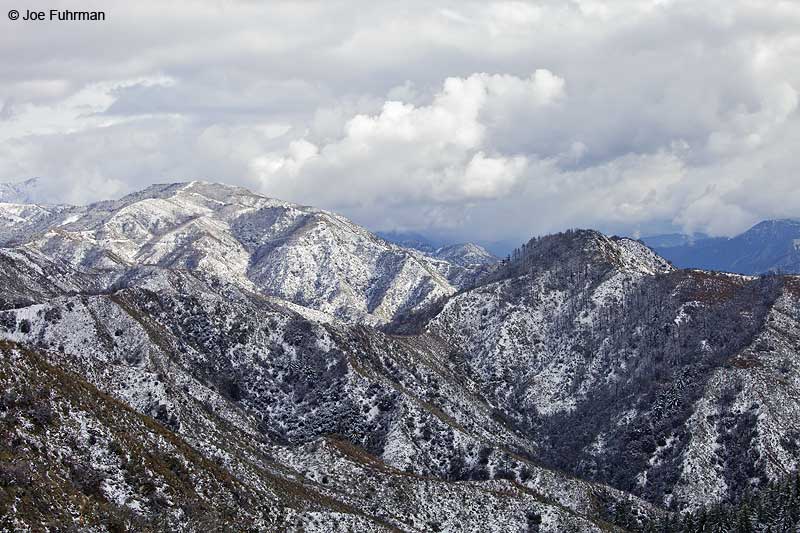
pixel 480 120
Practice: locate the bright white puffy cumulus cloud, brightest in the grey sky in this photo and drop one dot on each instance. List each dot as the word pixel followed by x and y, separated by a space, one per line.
pixel 443 152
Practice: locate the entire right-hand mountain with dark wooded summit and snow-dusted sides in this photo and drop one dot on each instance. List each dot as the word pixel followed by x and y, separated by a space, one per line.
pixel 680 386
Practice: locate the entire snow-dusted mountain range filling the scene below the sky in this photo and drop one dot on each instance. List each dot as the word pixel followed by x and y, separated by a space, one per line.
pixel 196 357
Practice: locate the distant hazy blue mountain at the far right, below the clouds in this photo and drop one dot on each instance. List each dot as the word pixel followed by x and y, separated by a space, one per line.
pixel 771 246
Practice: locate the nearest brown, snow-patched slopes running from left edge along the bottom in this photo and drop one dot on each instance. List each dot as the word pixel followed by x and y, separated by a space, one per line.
pixel 80 459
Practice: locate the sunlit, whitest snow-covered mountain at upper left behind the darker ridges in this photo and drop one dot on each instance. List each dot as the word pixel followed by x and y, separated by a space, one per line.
pixel 308 256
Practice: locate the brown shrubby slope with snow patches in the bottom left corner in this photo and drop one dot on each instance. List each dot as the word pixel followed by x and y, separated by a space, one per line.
pixel 73 457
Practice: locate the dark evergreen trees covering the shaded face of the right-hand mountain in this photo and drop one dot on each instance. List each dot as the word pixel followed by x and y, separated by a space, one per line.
pixel 662 382
